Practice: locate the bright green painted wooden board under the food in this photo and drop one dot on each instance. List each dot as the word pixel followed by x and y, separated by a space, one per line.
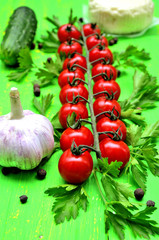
pixel 34 220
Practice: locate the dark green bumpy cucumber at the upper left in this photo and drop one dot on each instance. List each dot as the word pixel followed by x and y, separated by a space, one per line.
pixel 19 34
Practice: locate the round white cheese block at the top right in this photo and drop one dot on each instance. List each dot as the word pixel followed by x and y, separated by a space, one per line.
pixel 121 16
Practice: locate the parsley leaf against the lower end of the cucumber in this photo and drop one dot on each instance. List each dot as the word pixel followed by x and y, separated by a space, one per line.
pixel 25 65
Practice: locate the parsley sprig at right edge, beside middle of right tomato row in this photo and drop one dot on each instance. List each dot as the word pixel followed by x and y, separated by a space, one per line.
pixel 144 96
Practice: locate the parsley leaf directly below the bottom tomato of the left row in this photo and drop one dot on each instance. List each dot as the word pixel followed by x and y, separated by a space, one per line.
pixel 69 199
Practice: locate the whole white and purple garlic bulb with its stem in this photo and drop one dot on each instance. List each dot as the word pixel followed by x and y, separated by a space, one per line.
pixel 25 137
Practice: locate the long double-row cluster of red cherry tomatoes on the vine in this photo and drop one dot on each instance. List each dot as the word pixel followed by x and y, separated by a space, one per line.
pixel 75 164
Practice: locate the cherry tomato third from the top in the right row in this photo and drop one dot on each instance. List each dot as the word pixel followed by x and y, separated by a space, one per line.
pixel 100 52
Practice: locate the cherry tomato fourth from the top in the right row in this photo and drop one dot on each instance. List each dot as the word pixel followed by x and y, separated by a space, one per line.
pixel 109 70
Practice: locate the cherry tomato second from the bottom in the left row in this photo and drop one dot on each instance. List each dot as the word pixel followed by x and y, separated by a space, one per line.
pixel 81 136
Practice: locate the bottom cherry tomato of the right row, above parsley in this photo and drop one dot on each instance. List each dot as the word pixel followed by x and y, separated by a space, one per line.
pixel 115 150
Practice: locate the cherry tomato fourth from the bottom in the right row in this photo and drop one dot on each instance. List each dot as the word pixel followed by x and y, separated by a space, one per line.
pixel 111 87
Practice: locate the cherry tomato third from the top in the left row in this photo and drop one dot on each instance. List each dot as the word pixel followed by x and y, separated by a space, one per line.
pixel 71 62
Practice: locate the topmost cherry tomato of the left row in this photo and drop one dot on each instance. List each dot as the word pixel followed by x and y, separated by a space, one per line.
pixel 68 31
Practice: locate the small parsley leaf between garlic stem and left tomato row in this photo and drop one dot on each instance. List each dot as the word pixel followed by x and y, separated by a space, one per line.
pixel 43 104
